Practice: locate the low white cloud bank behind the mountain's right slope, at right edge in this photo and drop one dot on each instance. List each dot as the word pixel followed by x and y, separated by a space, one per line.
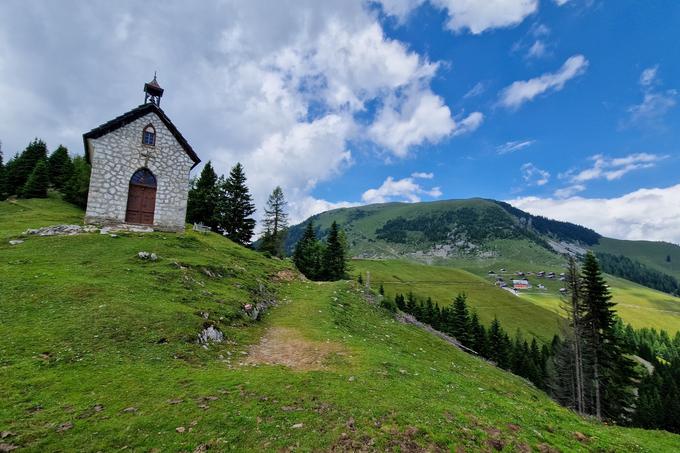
pixel 645 214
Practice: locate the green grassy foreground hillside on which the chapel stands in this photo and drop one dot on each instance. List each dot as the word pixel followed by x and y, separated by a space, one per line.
pixel 98 353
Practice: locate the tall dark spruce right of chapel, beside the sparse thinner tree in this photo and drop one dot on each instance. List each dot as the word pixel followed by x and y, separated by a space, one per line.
pixel 236 207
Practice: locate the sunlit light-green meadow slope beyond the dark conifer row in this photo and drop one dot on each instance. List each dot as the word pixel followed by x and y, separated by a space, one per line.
pixel 535 311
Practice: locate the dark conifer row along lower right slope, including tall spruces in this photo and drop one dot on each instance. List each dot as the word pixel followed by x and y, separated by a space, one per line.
pixel 588 367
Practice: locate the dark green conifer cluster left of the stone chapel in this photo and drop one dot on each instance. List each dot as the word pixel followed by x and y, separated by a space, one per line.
pixel 34 171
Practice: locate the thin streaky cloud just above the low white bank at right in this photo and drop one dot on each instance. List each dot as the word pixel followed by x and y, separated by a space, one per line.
pixel 612 168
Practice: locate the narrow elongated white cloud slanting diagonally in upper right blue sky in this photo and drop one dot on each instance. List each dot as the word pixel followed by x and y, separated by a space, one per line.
pixel 523 91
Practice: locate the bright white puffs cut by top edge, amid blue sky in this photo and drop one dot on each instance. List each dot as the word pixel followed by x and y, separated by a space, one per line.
pixel 474 15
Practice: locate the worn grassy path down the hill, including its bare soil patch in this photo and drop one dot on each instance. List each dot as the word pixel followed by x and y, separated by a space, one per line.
pixel 292 336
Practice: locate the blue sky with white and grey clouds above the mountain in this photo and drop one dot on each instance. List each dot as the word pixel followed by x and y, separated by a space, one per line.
pixel 565 108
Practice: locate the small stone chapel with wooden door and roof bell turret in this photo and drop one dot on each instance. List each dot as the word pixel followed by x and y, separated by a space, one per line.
pixel 140 168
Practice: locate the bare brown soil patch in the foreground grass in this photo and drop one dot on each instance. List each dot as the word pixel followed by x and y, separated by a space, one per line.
pixel 285 346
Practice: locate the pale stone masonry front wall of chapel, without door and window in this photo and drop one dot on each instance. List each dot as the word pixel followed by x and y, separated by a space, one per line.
pixel 115 158
